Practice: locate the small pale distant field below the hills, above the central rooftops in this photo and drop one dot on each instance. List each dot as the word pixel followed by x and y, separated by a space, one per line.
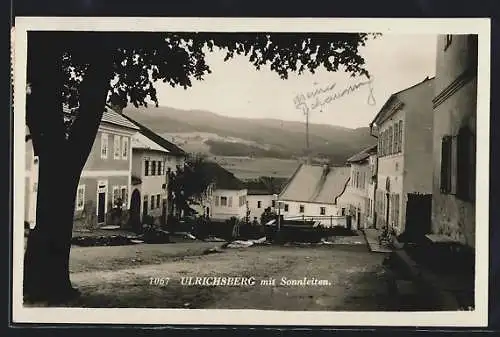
pixel 247 168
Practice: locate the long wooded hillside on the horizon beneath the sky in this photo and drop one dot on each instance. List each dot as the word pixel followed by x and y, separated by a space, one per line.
pixel 203 131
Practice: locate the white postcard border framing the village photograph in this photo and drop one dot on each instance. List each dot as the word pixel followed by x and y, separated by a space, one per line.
pixel 478 317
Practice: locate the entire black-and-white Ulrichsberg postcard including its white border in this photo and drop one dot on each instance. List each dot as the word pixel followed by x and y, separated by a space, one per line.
pixel 251 171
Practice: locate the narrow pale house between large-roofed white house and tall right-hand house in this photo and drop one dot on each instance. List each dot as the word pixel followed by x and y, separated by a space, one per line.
pixel 358 199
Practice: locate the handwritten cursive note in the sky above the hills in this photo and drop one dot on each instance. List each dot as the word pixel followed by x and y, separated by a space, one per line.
pixel 321 96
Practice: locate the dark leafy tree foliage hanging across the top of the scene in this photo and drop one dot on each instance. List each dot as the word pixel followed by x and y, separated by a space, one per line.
pixel 138 60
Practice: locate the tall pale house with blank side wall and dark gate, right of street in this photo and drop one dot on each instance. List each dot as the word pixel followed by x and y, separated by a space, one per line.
pixel 404 177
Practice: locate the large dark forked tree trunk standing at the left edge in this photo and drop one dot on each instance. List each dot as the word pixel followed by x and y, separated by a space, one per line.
pixel 61 160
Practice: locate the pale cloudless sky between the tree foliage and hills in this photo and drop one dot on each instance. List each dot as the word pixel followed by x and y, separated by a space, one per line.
pixel 236 89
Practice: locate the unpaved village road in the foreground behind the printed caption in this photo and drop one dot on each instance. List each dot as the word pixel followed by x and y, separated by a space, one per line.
pixel 356 277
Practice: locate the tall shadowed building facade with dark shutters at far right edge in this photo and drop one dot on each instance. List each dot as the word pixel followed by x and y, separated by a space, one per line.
pixel 454 151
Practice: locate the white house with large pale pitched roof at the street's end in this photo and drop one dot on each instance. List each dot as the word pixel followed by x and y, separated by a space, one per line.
pixel 314 191
